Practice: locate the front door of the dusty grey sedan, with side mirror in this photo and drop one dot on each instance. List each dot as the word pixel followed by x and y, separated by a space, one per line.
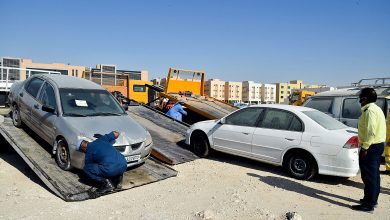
pixel 43 120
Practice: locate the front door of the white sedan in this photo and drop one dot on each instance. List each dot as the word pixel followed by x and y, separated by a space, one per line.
pixel 235 134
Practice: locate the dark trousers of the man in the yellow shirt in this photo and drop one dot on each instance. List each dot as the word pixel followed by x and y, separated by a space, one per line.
pixel 369 169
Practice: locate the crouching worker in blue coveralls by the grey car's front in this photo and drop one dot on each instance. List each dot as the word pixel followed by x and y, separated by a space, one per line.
pixel 103 163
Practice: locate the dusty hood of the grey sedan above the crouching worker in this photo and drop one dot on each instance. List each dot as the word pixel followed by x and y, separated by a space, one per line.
pixel 86 127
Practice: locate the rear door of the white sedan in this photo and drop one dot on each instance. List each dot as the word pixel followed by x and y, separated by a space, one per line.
pixel 277 131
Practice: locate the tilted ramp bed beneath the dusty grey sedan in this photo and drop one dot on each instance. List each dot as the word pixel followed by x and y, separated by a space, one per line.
pixel 65 184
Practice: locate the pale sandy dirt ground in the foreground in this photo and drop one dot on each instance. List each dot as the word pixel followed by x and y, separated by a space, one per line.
pixel 221 187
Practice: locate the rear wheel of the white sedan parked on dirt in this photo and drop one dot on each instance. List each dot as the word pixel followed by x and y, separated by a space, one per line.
pixel 301 166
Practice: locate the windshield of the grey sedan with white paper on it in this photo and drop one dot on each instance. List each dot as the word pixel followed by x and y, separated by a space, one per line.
pixel 86 102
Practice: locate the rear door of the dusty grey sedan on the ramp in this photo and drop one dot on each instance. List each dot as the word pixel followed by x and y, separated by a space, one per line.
pixel 27 98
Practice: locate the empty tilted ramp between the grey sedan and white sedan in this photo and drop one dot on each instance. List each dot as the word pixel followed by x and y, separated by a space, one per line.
pixel 168 135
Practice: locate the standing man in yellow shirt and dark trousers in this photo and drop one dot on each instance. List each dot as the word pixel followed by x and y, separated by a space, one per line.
pixel 372 135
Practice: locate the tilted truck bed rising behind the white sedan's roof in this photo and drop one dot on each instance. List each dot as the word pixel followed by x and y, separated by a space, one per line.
pixel 205 106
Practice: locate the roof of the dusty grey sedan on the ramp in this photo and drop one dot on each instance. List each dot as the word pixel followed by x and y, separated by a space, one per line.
pixel 65 81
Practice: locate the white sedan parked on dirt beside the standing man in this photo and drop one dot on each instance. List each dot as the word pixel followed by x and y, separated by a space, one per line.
pixel 303 140
